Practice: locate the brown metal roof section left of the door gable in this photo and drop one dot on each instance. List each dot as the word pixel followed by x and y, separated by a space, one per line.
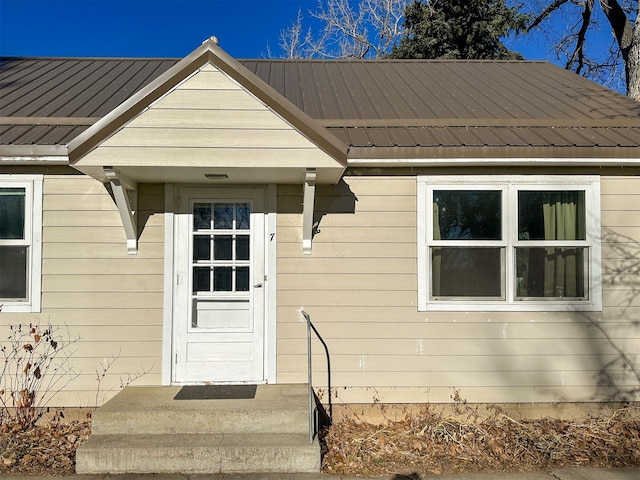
pixel 49 101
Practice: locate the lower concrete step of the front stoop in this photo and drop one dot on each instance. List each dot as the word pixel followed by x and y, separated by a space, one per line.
pixel 198 454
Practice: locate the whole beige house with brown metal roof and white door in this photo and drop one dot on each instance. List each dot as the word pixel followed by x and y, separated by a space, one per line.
pixel 446 224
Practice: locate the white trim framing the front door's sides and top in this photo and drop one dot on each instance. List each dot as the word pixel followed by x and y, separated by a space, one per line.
pixel 269 241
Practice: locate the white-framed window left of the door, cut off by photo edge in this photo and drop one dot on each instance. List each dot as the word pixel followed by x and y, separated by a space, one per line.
pixel 20 242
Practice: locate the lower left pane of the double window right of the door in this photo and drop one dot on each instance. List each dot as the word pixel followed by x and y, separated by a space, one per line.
pixel 466 272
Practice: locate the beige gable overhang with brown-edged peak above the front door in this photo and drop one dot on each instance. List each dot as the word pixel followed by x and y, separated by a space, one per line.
pixel 164 132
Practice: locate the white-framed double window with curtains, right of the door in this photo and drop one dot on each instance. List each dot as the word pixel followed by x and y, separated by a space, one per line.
pixel 529 243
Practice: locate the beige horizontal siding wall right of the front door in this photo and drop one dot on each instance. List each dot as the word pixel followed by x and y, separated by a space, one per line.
pixel 360 287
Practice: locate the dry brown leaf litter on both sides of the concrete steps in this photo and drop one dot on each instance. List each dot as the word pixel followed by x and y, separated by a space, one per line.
pixel 426 442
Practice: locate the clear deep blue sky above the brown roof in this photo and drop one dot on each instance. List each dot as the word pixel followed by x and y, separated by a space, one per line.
pixel 153 28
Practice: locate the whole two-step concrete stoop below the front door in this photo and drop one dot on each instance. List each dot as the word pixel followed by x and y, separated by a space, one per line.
pixel 144 430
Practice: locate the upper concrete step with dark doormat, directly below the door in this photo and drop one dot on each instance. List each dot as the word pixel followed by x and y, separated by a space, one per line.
pixel 152 410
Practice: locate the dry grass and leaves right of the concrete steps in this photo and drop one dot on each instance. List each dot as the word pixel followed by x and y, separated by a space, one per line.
pixel 469 441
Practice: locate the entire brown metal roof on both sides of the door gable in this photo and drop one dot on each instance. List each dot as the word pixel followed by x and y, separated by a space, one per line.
pixel 381 108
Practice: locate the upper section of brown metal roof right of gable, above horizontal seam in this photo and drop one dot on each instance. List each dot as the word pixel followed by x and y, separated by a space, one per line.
pixel 441 90
